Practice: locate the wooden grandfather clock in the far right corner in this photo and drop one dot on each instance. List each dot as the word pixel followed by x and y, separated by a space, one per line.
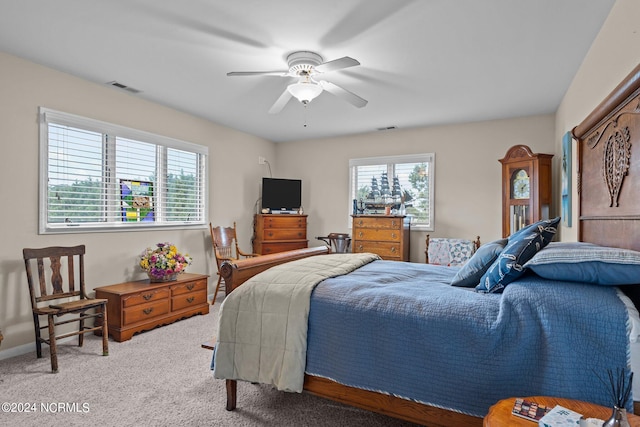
pixel 526 188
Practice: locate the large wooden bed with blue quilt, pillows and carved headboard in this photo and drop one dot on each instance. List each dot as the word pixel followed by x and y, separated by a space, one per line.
pixel 503 338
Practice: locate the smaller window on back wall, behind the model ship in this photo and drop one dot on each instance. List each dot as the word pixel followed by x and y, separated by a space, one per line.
pixel 405 183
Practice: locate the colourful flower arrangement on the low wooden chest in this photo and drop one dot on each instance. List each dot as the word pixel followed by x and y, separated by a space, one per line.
pixel 164 262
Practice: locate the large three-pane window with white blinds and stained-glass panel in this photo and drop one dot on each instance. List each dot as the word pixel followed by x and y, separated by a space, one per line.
pixel 96 176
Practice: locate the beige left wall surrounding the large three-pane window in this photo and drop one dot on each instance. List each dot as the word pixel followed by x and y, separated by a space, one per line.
pixel 233 180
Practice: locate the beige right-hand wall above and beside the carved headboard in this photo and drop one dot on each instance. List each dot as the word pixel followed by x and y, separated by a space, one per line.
pixel 613 54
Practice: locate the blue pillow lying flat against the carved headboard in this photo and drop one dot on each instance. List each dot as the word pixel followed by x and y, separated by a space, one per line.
pixel 587 263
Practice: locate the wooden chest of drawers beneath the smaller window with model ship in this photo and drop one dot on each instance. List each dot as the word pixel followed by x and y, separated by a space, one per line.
pixel 385 235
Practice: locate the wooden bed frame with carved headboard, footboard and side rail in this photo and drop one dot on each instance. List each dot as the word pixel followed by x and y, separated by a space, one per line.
pixel 608 140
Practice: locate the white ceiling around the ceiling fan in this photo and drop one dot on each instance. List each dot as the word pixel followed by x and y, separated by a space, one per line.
pixel 423 62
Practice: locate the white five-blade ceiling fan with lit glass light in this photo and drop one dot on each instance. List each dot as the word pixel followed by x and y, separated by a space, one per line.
pixel 306 67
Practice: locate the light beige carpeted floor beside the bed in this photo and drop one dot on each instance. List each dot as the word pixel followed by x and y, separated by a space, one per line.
pixel 158 378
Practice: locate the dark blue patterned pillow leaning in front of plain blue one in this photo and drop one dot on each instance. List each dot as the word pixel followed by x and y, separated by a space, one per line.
pixel 522 246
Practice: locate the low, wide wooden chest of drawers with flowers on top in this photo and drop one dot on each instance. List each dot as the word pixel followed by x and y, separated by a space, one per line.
pixel 139 306
